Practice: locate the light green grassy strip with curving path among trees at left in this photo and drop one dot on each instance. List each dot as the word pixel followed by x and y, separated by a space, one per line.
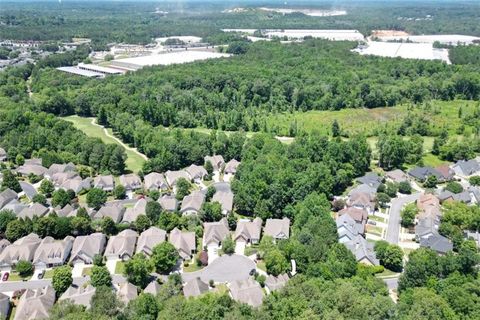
pixel 134 160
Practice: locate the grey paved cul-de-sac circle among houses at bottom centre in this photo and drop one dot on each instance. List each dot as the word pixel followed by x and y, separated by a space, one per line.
pixel 224 269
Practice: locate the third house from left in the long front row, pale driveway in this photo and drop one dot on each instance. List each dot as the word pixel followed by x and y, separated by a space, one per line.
pixel 86 247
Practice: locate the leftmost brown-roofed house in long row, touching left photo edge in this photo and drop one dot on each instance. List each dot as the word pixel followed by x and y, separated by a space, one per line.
pixel 22 249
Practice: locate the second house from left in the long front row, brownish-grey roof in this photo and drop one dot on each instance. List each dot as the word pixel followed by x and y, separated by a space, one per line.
pixel 51 253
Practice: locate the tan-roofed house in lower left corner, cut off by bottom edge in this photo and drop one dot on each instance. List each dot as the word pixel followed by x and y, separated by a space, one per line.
pixel 35 304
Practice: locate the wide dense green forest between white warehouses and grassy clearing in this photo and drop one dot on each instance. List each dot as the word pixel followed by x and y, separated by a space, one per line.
pixel 240 92
